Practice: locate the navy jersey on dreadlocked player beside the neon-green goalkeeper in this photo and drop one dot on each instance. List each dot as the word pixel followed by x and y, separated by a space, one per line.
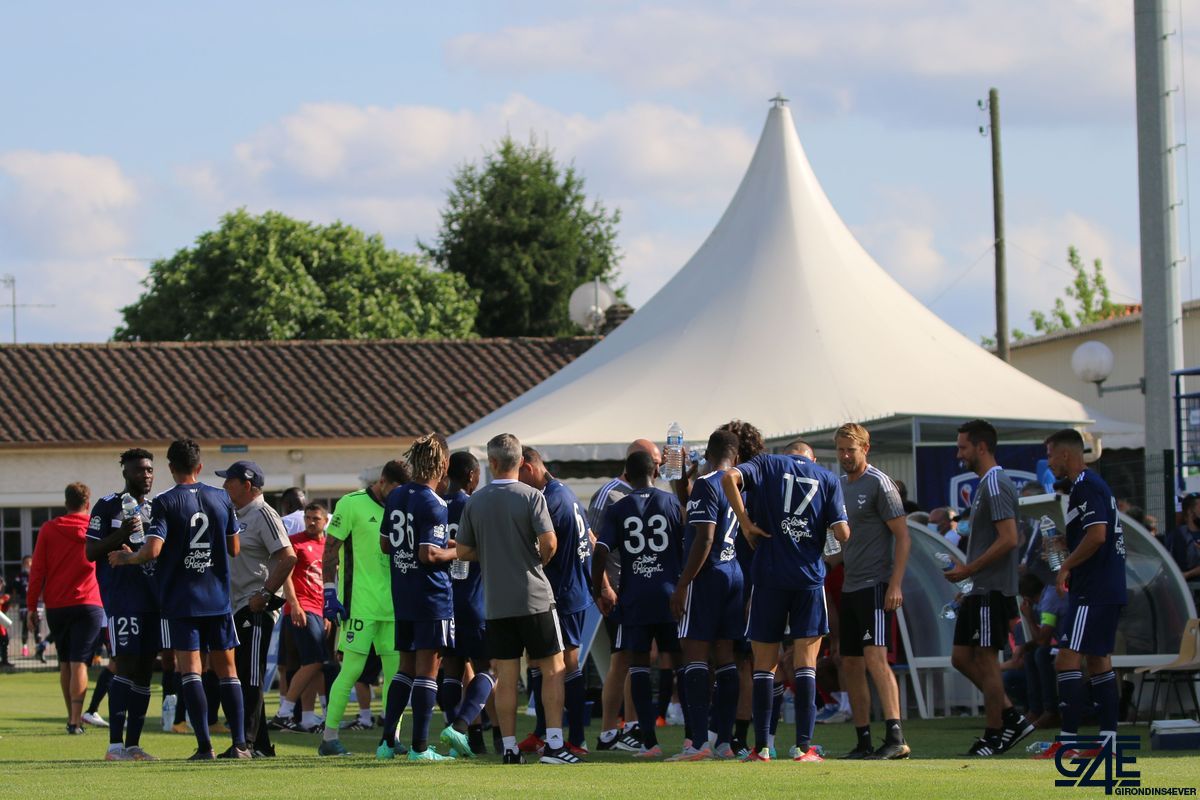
pixel 415 518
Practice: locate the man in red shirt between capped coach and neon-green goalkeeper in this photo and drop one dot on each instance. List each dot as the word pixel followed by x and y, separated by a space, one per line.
pixel 308 622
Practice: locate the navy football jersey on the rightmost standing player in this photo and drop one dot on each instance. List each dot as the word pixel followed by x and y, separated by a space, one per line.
pixel 1101 579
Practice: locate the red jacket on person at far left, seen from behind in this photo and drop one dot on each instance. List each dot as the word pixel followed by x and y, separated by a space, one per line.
pixel 62 574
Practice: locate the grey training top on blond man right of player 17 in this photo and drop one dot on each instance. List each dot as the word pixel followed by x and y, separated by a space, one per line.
pixel 872 502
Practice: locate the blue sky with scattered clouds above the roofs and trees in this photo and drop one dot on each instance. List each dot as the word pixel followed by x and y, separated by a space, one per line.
pixel 130 129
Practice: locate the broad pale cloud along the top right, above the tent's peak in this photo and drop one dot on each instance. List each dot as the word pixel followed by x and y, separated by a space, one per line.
pixel 1065 61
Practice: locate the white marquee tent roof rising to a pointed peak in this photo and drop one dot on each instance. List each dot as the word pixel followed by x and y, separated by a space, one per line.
pixel 781 318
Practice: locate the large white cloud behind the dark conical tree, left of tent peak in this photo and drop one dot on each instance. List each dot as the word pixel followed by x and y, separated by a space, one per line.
pixel 388 170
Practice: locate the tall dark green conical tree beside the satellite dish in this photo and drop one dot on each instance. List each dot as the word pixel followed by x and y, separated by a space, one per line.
pixel 520 230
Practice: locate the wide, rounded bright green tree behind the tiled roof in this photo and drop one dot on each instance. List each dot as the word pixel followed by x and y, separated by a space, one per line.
pixel 273 278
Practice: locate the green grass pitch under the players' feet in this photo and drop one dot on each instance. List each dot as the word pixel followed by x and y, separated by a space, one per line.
pixel 38 760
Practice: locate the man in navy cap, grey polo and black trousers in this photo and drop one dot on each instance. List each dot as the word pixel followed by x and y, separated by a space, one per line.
pixel 257 581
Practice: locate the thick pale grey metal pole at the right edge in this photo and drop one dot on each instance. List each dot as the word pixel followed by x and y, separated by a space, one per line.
pixel 1162 316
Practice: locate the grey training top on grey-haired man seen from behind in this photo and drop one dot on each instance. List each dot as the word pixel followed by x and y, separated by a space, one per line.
pixel 503 522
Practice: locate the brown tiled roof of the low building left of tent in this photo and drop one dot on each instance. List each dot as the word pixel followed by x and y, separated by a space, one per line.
pixel 256 392
